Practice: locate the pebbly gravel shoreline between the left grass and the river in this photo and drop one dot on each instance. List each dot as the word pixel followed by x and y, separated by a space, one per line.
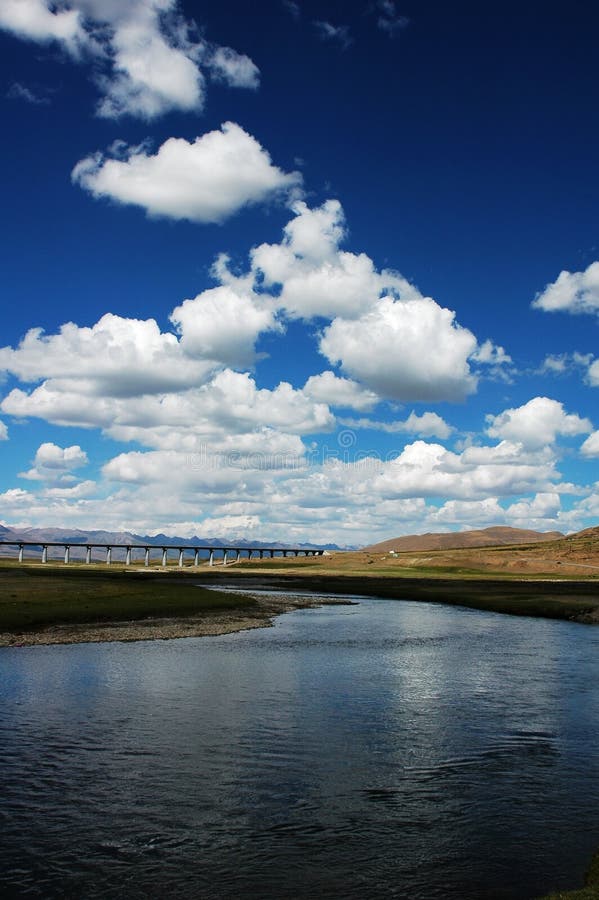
pixel 168 628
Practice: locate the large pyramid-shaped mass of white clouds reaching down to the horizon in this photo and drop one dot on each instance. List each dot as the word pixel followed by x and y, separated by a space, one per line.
pixel 223 449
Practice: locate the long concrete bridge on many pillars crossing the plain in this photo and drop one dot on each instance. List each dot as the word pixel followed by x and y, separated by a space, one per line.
pixel 229 554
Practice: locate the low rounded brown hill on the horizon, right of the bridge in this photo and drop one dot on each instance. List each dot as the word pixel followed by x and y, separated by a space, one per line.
pixel 499 535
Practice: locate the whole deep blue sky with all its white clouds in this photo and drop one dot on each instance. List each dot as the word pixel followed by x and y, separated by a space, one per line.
pixel 316 271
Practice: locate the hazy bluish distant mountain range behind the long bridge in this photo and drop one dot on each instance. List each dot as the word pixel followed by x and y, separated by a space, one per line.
pixel 79 536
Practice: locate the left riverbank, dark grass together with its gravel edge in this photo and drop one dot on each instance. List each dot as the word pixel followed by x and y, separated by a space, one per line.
pixel 59 606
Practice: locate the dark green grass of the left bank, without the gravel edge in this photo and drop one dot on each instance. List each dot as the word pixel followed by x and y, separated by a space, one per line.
pixel 32 597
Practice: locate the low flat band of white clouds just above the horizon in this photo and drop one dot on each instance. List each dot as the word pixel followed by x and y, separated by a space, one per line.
pixel 304 498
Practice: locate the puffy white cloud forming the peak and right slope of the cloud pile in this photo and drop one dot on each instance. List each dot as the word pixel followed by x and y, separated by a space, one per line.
pixel 383 333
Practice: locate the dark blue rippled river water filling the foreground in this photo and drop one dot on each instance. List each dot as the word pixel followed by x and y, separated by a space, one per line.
pixel 387 749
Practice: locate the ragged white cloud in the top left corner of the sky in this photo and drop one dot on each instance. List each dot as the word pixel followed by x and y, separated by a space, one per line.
pixel 147 57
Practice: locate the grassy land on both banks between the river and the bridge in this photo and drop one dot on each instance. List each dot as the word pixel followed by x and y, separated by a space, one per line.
pixel 59 604
